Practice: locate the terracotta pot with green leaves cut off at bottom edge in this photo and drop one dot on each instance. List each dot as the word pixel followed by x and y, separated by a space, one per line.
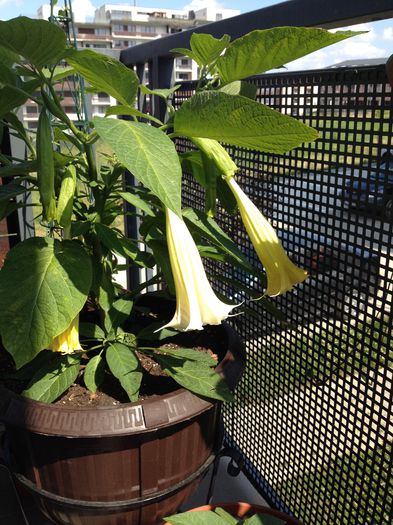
pixel 233 513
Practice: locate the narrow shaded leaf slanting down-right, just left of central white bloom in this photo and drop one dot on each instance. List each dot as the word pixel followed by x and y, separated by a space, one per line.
pixel 121 245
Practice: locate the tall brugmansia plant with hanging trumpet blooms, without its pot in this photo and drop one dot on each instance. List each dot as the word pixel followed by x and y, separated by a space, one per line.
pixel 78 190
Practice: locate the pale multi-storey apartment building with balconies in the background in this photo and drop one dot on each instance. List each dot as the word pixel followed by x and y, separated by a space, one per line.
pixel 118 26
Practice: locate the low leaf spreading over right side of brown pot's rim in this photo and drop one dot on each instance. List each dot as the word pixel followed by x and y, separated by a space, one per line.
pixel 201 380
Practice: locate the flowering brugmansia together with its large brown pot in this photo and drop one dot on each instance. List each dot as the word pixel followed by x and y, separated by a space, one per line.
pixel 64 322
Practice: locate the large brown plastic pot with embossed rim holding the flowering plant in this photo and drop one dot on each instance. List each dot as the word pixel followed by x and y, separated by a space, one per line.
pixel 131 464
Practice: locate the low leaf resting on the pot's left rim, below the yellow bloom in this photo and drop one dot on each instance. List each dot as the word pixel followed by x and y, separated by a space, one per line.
pixel 54 378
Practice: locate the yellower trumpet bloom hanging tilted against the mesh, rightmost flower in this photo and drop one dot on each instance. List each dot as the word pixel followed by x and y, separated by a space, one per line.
pixel 282 273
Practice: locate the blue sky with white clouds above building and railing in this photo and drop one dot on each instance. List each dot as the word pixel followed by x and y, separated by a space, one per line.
pixel 376 43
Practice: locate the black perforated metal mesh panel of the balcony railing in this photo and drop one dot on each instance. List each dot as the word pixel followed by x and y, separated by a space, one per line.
pixel 314 410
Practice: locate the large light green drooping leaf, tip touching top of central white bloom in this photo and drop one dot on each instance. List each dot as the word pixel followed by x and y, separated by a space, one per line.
pixel 148 154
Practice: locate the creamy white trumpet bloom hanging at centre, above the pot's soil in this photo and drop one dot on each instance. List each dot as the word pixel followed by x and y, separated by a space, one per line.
pixel 196 302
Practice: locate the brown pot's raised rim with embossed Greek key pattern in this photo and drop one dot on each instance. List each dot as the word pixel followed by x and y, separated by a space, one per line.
pixel 127 418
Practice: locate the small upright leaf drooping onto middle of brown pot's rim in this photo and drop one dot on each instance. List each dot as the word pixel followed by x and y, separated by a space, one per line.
pixel 125 366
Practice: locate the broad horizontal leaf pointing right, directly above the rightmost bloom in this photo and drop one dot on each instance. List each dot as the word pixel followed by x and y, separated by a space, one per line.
pixel 239 121
